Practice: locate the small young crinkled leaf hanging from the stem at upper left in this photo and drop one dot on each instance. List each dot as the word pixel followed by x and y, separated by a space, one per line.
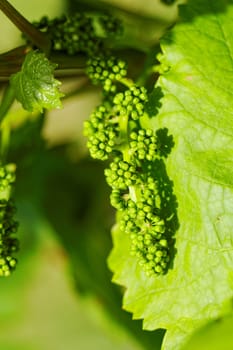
pixel 35 86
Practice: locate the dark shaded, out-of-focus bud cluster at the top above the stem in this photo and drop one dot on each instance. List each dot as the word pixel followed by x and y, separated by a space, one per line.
pixel 78 32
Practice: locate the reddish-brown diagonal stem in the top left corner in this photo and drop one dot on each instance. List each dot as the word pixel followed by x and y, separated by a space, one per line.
pixel 37 37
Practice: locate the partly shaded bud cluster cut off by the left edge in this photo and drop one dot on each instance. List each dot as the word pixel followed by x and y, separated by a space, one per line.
pixel 8 226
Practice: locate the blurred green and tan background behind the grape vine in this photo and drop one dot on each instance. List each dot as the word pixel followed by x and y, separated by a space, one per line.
pixel 61 295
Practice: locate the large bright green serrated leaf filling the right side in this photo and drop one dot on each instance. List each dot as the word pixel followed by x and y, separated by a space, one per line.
pixel 197 61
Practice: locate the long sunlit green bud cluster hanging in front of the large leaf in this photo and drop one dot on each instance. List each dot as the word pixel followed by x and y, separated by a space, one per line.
pixel 116 132
